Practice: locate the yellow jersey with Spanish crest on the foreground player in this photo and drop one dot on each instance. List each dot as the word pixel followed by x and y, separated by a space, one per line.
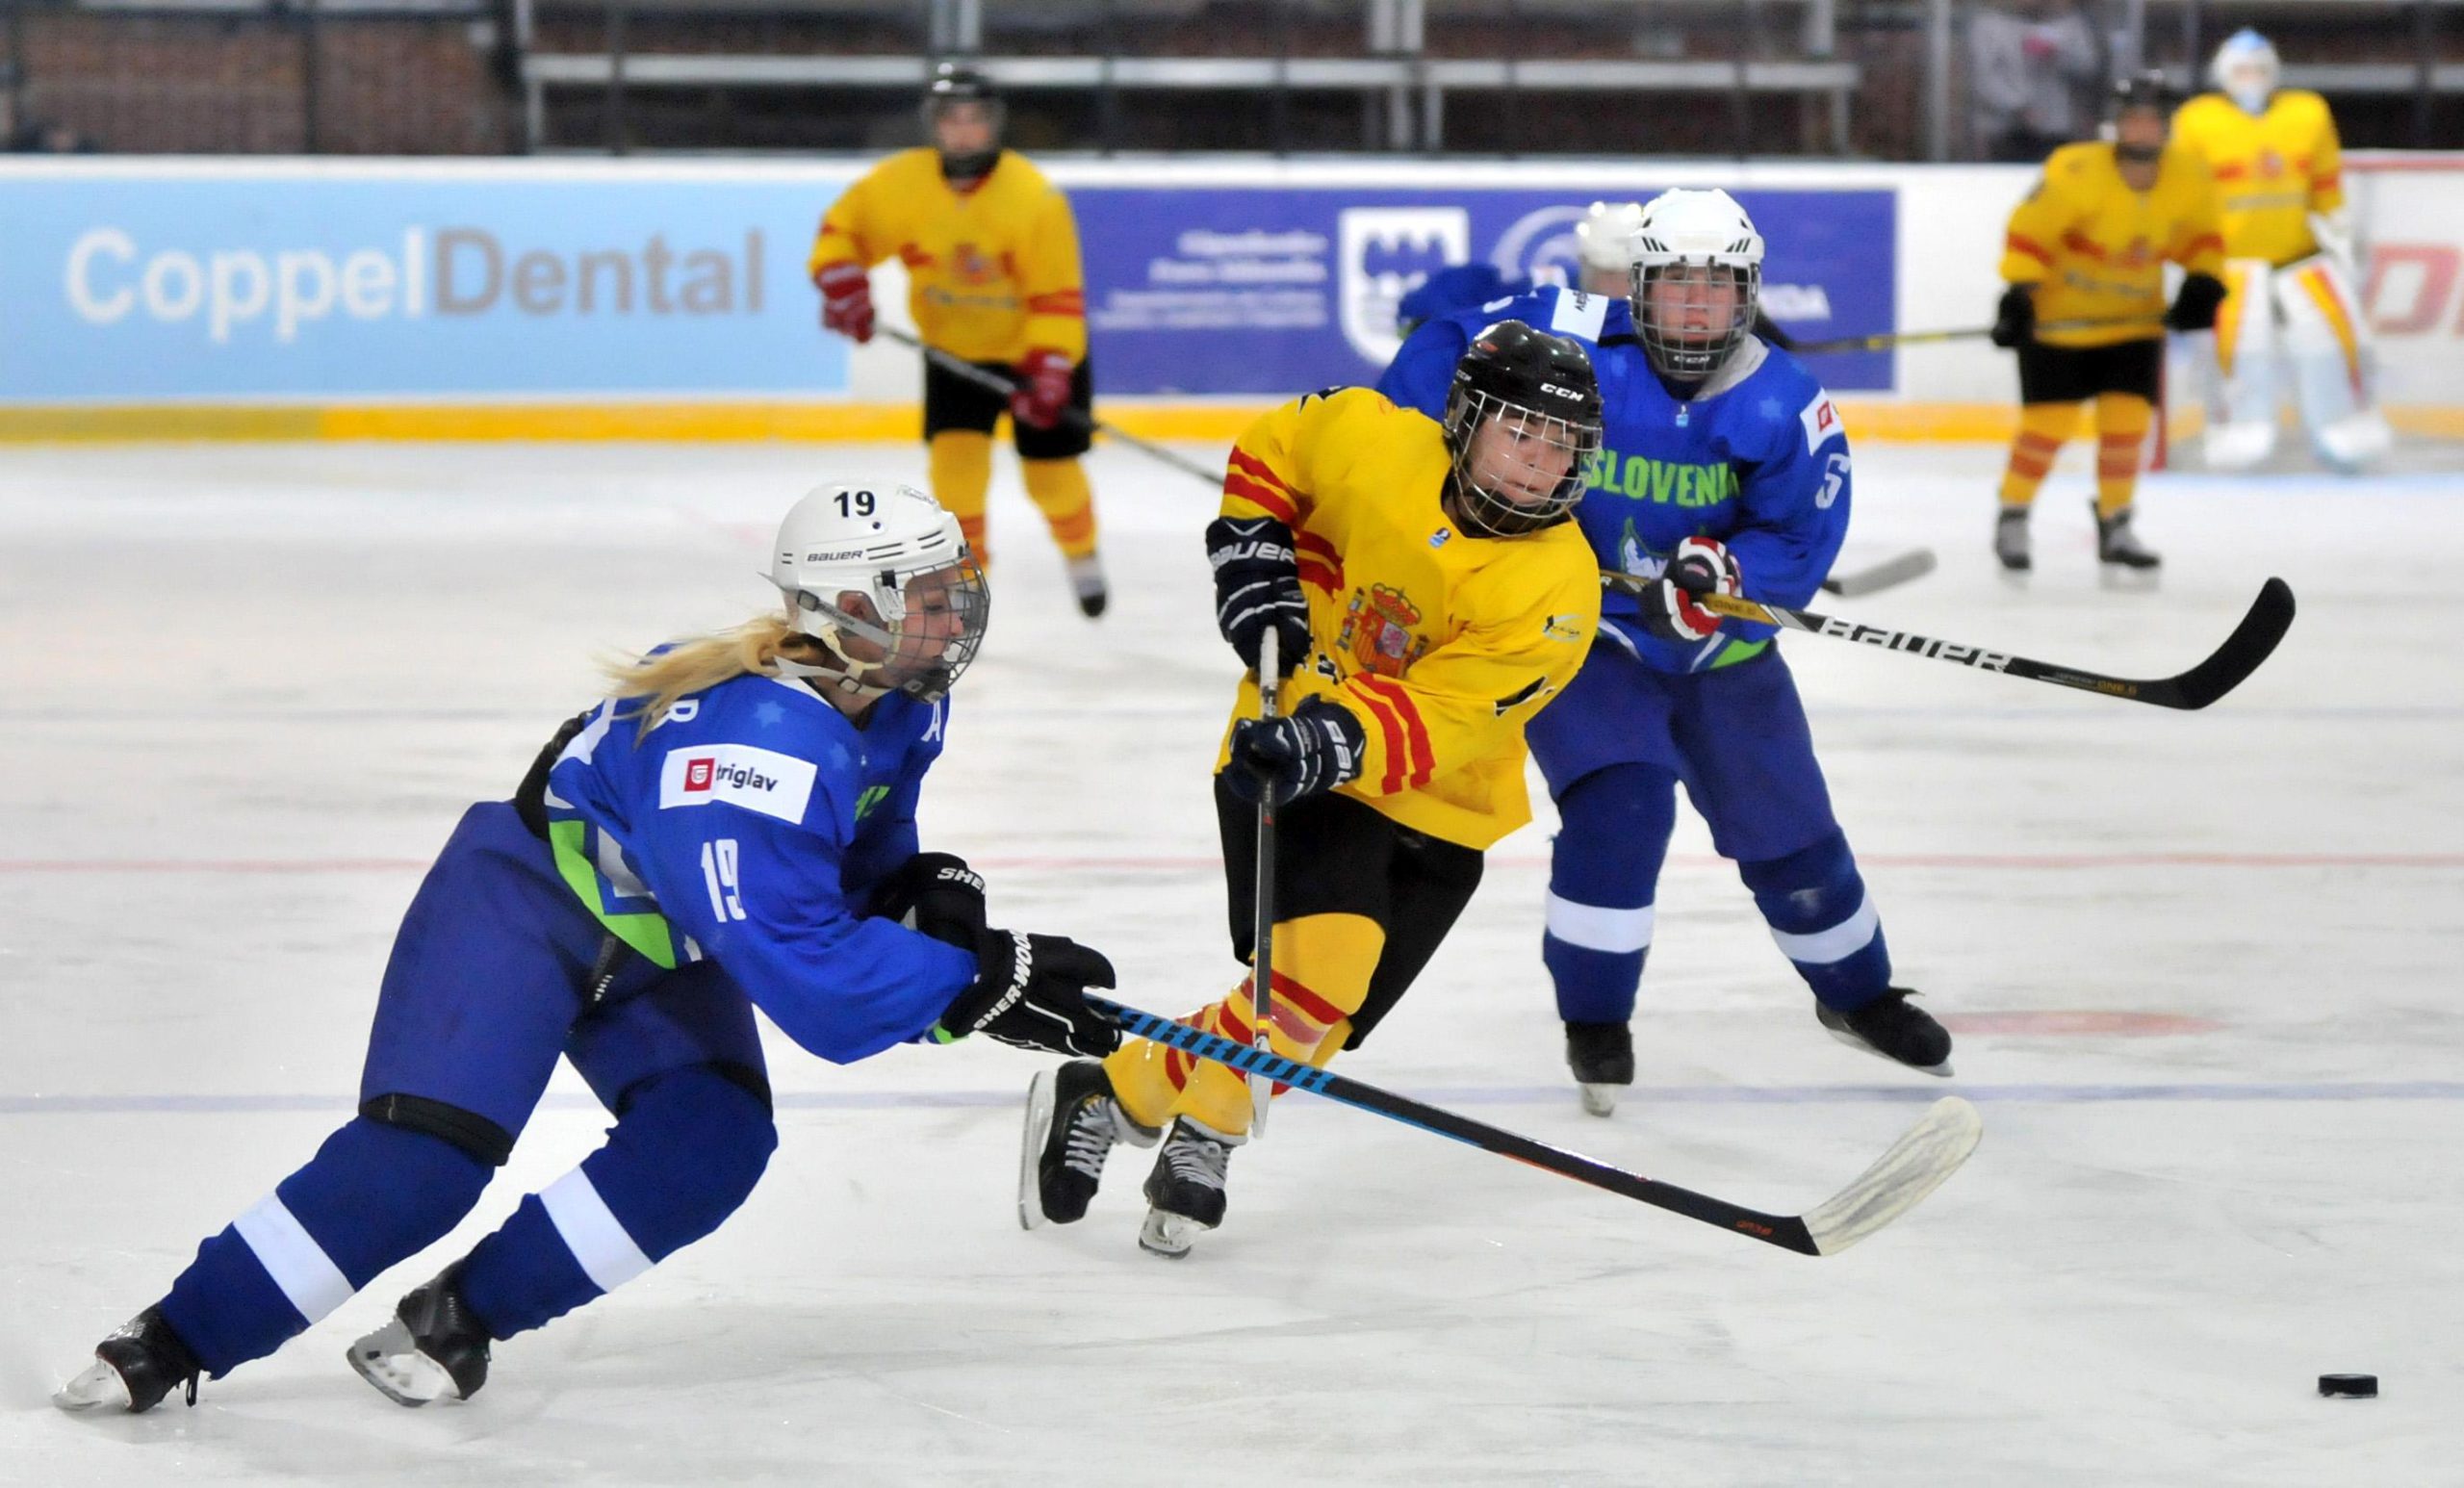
pixel 1440 644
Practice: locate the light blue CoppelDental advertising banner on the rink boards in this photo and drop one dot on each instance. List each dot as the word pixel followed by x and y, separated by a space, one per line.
pixel 198 287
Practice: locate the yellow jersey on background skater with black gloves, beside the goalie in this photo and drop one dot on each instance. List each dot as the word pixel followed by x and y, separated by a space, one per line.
pixel 2098 250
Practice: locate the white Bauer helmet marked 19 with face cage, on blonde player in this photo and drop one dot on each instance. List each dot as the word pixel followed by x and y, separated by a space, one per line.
pixel 920 592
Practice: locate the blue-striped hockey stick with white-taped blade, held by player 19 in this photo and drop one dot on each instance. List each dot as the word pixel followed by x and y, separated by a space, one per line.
pixel 1911 1169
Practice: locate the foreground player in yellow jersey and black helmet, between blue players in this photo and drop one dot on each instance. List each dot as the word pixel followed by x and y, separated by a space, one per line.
pixel 1430 592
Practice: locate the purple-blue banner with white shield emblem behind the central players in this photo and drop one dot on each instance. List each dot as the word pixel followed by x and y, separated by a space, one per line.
pixel 1275 289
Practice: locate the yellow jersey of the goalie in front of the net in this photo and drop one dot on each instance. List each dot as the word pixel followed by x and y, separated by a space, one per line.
pixel 2271 171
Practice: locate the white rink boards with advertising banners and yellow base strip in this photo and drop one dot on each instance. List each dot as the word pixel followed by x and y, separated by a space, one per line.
pixel 524 299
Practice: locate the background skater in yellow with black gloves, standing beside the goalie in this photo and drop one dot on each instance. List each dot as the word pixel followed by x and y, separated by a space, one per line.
pixel 2086 309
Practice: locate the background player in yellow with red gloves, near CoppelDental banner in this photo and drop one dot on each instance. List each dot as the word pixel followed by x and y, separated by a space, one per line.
pixel 994 280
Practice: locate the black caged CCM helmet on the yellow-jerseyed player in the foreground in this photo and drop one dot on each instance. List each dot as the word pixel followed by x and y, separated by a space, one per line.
pixel 1544 393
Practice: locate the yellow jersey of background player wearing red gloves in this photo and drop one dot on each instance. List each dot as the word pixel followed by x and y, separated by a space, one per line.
pixel 992 272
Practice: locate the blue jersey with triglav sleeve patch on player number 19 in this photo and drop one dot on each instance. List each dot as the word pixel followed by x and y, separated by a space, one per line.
pixel 753 827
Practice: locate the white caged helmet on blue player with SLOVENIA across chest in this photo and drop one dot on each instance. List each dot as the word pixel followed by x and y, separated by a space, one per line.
pixel 1709 253
